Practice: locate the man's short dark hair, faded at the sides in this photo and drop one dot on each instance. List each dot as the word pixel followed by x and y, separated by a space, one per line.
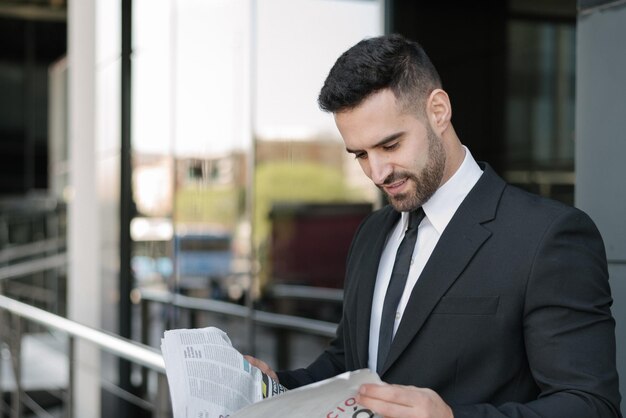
pixel 374 64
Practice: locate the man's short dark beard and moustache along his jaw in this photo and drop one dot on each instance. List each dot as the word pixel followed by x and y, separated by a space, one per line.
pixel 425 183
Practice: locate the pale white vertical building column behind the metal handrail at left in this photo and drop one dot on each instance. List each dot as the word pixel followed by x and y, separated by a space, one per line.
pixel 84 298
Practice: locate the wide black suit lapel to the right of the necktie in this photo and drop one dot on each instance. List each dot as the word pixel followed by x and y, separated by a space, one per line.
pixel 461 239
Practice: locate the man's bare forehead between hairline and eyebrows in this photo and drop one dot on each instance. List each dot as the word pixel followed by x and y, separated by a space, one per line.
pixel 379 116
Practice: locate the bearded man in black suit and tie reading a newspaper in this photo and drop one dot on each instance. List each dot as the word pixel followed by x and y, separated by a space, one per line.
pixel 506 308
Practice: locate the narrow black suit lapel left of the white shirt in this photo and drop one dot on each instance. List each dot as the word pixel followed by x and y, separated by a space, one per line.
pixel 368 269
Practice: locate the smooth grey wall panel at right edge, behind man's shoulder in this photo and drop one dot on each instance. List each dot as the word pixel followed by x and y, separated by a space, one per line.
pixel 601 142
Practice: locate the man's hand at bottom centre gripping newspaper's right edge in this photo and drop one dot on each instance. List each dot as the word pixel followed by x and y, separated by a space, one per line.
pixel 396 401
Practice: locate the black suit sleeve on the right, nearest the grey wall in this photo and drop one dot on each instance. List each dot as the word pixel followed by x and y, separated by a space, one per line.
pixel 568 328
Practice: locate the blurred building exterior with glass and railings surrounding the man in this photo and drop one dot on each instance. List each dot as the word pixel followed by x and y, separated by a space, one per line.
pixel 164 164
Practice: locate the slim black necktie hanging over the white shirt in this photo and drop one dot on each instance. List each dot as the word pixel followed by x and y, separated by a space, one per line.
pixel 399 273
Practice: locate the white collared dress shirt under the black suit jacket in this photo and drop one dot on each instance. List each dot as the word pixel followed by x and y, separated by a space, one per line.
pixel 439 210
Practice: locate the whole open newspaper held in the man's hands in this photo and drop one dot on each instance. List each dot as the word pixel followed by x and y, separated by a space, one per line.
pixel 209 378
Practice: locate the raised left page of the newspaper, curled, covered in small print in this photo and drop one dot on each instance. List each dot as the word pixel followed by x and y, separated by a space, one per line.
pixel 208 378
